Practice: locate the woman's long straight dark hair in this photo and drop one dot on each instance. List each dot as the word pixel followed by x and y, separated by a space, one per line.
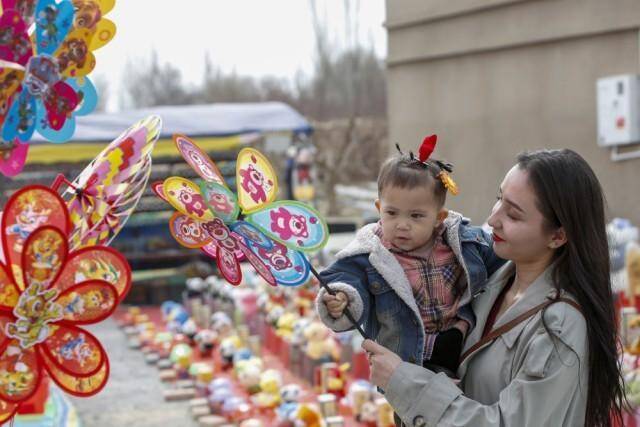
pixel 569 196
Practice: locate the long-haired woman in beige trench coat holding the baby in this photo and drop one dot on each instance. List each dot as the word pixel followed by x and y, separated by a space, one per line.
pixel 551 366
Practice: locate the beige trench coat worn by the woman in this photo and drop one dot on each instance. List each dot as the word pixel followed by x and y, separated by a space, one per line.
pixel 524 378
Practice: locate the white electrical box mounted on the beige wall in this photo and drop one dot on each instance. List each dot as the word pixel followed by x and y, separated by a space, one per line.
pixel 618 110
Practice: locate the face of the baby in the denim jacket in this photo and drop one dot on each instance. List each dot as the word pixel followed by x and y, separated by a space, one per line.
pixel 409 216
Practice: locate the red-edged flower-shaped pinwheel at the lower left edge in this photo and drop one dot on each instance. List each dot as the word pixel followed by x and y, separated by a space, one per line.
pixel 46 294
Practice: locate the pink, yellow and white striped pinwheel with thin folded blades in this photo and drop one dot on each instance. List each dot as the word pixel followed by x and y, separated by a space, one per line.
pixel 103 196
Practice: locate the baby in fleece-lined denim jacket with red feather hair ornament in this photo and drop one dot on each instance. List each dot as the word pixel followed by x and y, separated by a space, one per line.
pixel 409 279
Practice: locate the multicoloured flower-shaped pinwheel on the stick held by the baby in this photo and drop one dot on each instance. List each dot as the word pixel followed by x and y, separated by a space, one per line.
pixel 272 236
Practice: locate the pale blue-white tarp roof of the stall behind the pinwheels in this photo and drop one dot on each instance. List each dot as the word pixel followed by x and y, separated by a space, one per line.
pixel 194 120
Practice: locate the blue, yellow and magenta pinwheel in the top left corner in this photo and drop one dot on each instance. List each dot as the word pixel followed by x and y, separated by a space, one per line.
pixel 43 83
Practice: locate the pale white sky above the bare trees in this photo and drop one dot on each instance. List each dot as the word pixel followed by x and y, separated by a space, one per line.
pixel 252 37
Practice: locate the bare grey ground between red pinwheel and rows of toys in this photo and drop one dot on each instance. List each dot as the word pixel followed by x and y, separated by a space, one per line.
pixel 133 395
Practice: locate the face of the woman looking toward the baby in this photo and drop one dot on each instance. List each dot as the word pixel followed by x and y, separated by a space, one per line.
pixel 518 226
